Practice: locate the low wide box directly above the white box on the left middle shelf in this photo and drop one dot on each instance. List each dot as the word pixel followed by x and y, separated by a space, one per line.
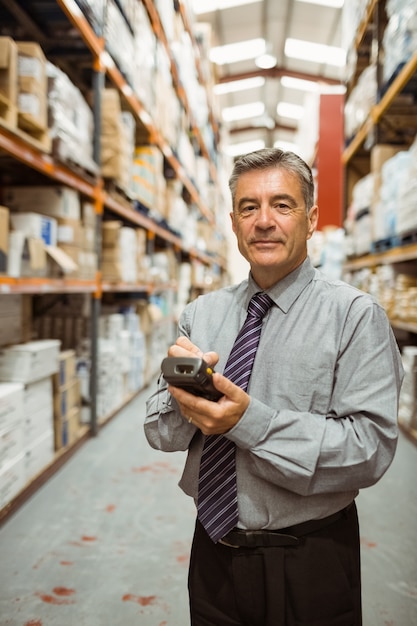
pixel 55 201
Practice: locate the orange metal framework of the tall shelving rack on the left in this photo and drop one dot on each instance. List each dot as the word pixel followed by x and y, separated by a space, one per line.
pixel 34 155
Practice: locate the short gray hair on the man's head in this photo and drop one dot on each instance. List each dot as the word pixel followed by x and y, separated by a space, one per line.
pixel 274 157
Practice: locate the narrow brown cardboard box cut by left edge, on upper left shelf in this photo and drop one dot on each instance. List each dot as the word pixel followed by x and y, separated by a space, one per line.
pixel 8 80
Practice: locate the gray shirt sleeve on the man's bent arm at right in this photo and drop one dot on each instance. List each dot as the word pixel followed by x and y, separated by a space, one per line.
pixel 353 445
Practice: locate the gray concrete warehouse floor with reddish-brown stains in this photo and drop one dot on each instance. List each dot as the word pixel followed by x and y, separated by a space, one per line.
pixel 105 542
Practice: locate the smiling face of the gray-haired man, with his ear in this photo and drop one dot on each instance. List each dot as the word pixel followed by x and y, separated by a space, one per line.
pixel 271 224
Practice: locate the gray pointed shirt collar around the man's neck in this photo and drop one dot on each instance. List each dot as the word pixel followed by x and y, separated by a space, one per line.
pixel 285 292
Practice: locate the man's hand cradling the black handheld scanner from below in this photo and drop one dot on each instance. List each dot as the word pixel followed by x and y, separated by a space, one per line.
pixel 213 418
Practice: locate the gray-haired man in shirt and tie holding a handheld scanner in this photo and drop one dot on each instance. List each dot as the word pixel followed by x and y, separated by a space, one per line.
pixel 317 422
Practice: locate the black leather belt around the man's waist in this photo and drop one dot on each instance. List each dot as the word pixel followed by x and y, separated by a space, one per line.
pixel 239 538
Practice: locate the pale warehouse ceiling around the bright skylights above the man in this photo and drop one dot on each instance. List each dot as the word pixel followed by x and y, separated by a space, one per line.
pixel 275 21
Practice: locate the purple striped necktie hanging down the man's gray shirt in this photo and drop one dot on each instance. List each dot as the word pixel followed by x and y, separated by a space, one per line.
pixel 217 491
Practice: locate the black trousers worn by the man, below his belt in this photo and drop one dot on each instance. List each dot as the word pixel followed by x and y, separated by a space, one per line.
pixel 315 583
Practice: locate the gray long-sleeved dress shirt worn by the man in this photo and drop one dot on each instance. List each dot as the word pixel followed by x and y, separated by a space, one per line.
pixel 322 418
